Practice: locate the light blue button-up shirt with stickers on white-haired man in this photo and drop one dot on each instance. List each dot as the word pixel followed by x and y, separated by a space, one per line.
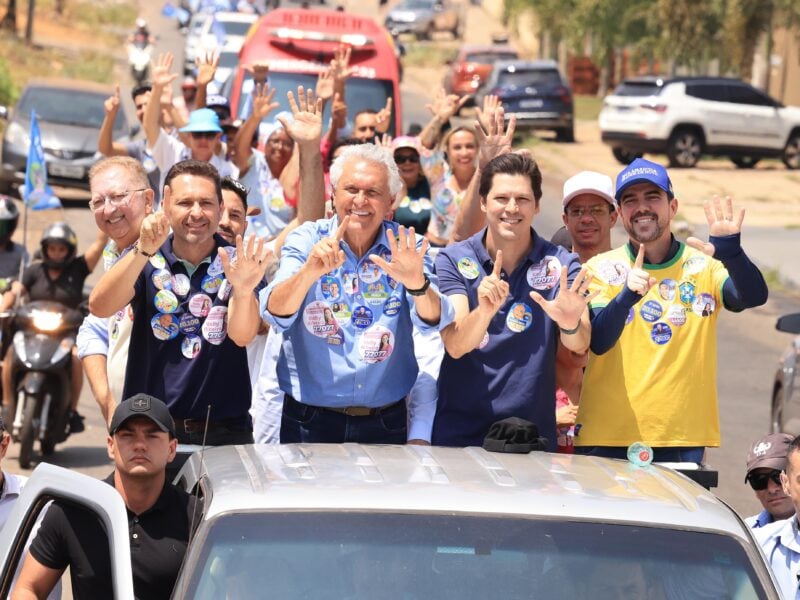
pixel 350 343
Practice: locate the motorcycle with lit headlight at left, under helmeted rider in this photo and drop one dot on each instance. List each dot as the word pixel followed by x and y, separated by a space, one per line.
pixel 43 341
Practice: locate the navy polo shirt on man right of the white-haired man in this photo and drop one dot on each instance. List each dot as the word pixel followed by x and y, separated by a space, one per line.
pixel 512 371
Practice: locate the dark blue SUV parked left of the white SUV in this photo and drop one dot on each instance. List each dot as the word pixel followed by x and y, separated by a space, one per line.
pixel 535 93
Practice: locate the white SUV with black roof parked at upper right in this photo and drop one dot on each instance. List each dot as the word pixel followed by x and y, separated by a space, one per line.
pixel 686 117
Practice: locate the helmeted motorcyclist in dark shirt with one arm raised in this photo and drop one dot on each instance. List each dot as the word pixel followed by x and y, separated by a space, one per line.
pixel 59 276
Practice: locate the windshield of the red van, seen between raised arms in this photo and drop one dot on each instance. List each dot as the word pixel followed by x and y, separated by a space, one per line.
pixel 360 93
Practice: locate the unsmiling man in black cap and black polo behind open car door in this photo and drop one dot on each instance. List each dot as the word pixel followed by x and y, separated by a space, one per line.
pixel 160 516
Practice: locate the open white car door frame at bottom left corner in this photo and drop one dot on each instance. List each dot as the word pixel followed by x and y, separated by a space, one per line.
pixel 49 482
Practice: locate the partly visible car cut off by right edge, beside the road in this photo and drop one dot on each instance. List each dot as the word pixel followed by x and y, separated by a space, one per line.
pixel 785 413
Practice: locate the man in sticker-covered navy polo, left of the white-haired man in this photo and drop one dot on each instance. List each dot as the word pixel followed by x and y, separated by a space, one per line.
pixel 194 309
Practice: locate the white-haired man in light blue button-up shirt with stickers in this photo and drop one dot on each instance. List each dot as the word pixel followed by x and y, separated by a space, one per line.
pixel 346 296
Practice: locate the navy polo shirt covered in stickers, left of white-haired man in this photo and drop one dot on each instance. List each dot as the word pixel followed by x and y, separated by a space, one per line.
pixel 179 349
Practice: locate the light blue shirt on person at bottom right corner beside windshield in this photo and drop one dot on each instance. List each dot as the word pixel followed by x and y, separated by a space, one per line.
pixel 779 543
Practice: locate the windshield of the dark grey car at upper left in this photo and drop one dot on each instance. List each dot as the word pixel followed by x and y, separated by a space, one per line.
pixel 67 107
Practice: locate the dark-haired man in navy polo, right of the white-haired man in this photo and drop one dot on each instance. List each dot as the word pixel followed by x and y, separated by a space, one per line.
pixel 509 289
